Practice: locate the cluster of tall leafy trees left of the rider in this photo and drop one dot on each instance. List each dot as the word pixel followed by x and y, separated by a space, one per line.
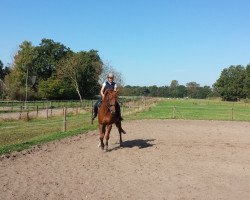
pixel 52 71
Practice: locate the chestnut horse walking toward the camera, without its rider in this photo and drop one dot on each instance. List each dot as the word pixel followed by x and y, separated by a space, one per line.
pixel 107 115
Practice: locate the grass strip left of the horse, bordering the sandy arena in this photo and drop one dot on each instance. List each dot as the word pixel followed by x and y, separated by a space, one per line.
pixel 19 135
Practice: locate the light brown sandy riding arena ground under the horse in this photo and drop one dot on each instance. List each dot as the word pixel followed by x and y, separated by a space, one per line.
pixel 161 159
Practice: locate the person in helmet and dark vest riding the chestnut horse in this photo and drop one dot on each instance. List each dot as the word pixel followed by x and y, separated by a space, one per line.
pixel 109 84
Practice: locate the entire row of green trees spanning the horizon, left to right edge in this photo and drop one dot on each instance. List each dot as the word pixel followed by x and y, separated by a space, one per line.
pixel 51 70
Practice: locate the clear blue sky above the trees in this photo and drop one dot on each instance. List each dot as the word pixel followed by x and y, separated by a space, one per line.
pixel 150 42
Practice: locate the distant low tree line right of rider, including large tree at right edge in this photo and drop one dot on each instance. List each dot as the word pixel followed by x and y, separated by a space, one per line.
pixel 232 85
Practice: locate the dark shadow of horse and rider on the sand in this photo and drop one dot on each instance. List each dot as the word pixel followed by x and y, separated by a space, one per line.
pixel 140 143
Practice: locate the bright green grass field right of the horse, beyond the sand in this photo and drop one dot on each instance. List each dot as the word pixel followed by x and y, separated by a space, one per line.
pixel 196 110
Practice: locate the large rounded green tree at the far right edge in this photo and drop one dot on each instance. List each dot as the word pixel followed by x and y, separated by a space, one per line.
pixel 230 84
